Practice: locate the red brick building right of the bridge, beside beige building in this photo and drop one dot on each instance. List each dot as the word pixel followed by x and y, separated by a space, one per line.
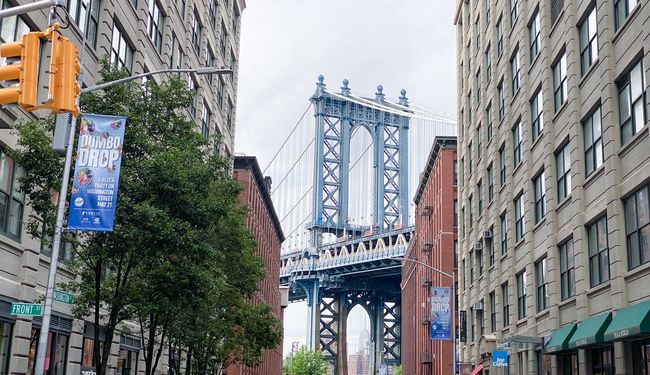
pixel 435 236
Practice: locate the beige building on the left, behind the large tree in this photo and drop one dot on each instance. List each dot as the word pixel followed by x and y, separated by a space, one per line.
pixel 141 35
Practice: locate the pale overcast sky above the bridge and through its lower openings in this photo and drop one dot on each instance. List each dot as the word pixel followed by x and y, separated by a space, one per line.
pixel 286 44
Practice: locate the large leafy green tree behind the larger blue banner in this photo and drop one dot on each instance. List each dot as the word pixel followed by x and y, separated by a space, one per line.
pixel 179 236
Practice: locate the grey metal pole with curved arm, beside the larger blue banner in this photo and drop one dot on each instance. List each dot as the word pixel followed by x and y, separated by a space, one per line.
pixel 58 229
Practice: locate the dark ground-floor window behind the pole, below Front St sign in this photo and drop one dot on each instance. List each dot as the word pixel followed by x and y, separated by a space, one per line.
pixel 57 352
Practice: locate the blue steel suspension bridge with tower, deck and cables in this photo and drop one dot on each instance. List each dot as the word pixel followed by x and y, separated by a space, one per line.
pixel 344 179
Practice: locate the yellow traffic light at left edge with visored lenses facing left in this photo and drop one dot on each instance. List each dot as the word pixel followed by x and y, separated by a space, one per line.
pixel 25 71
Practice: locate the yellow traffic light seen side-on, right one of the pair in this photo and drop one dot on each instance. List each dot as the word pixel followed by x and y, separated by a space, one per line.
pixel 64 69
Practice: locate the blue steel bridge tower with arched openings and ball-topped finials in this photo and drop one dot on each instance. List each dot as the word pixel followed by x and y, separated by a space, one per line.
pixel 337 115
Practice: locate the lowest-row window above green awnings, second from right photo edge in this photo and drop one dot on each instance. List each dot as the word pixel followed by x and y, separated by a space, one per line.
pixel 598 251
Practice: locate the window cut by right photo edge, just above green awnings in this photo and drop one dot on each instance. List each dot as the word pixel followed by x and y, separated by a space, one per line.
pixel 637 227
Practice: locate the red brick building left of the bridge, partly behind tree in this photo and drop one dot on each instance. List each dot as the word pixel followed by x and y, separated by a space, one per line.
pixel 265 226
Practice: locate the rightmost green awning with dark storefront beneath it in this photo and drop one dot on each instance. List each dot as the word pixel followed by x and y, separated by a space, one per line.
pixel 632 326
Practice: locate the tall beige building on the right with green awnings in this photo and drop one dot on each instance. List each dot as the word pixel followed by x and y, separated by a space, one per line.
pixel 554 154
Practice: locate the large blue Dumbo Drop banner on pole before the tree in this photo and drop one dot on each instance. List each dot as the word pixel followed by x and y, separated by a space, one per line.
pixel 96 173
